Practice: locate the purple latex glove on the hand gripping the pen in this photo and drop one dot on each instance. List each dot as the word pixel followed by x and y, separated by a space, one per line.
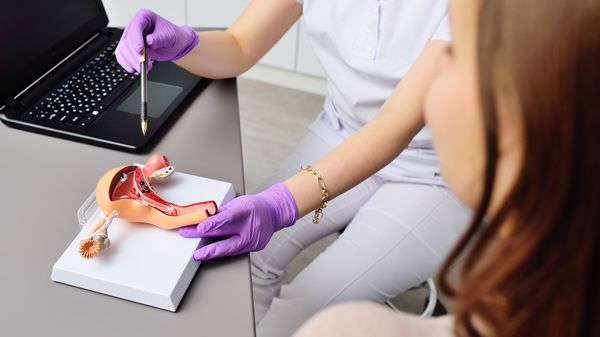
pixel 165 41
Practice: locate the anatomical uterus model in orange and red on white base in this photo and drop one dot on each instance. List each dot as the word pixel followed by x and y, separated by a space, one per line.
pixel 126 192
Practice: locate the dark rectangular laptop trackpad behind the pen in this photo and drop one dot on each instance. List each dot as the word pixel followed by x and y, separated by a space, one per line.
pixel 160 96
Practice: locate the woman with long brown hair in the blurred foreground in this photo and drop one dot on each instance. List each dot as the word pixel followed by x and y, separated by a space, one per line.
pixel 515 115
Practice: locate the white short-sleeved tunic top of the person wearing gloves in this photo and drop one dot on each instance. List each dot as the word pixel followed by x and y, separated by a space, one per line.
pixel 365 48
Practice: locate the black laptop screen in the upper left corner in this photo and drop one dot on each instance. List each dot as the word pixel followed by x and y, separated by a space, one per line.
pixel 37 34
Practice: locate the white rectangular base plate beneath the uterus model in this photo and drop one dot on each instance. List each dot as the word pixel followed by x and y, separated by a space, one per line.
pixel 144 263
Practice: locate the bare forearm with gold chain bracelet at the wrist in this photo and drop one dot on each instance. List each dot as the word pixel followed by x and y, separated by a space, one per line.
pixel 376 144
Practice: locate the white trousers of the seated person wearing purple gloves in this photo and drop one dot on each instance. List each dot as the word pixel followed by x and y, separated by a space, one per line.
pixel 397 235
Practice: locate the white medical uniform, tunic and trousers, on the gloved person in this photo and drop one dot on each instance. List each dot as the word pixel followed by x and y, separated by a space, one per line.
pixel 401 222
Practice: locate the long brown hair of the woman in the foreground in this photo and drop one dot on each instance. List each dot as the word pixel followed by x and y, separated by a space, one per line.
pixel 542 277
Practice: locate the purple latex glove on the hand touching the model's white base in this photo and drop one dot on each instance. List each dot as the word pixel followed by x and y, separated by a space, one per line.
pixel 251 219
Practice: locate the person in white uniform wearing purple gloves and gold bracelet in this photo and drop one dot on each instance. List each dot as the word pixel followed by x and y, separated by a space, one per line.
pixel 401 219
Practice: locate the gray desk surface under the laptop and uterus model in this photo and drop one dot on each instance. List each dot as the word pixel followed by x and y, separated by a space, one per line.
pixel 44 180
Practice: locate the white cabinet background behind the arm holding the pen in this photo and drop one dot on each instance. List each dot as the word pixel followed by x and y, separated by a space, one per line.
pixel 291 62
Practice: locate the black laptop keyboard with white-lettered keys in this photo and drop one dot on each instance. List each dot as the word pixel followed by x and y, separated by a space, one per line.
pixel 83 98
